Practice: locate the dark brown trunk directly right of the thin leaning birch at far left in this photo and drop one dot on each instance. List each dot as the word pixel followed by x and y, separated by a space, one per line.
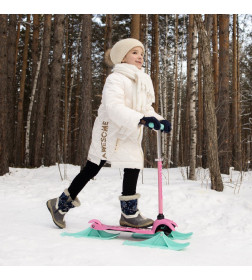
pixel 43 78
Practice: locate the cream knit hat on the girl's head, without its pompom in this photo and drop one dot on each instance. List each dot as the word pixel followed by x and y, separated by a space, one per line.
pixel 122 47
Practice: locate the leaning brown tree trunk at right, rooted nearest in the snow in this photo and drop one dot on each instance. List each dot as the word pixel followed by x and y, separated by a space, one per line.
pixel 209 107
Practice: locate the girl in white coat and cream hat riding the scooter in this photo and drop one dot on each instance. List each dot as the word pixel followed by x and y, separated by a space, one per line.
pixel 117 133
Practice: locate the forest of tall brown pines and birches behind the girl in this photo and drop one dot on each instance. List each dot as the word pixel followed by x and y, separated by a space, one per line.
pixel 52 72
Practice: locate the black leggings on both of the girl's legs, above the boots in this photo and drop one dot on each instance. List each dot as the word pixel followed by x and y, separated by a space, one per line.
pixel 91 170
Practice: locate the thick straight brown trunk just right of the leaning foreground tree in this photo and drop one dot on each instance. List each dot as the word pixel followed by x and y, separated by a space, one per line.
pixel 223 101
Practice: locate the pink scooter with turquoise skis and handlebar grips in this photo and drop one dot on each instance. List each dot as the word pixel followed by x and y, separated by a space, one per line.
pixel 162 232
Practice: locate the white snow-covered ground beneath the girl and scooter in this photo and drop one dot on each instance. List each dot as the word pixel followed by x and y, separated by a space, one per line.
pixel 221 221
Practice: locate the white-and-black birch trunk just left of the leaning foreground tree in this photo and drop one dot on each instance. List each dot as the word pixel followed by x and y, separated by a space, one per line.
pixel 192 94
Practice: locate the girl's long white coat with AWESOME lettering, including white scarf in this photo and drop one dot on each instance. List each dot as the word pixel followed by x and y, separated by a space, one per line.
pixel 117 135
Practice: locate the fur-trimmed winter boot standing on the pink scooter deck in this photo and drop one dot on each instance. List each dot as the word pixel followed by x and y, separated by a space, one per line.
pixel 131 216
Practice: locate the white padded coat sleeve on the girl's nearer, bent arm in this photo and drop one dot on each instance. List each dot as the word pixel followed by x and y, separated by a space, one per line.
pixel 114 102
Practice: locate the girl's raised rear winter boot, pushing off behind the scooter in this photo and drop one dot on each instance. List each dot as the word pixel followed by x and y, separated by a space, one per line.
pixel 59 206
